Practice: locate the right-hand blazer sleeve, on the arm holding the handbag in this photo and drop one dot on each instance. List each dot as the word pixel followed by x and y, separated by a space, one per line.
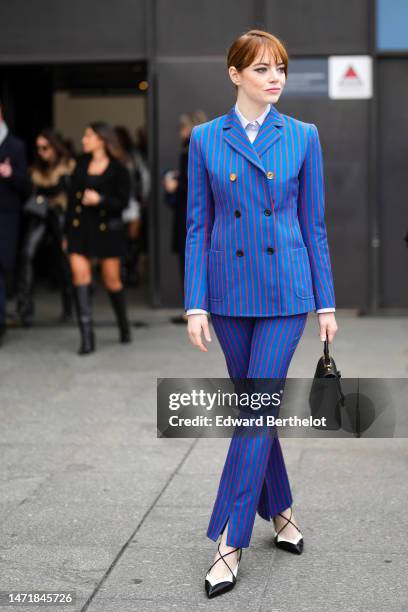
pixel 311 206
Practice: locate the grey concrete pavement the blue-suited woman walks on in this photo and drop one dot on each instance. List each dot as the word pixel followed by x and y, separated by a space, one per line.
pixel 92 501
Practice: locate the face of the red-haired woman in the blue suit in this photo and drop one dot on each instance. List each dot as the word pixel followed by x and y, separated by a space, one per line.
pixel 262 82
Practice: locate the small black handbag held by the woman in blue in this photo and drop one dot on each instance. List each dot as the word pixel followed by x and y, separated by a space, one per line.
pixel 326 397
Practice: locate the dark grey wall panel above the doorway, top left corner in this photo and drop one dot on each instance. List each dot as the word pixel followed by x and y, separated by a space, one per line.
pixel 74 30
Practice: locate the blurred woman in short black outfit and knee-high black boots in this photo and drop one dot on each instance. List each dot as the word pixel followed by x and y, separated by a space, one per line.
pixel 100 190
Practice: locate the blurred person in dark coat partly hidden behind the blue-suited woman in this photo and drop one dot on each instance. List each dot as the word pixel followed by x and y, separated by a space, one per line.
pixel 176 186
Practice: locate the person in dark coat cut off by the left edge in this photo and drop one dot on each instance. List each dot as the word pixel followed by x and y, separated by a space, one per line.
pixel 14 188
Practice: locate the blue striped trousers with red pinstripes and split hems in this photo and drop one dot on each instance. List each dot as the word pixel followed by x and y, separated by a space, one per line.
pixel 254 477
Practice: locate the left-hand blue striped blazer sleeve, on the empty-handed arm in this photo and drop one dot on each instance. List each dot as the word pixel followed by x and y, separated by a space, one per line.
pixel 199 223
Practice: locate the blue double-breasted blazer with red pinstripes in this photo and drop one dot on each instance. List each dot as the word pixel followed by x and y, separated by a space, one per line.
pixel 256 237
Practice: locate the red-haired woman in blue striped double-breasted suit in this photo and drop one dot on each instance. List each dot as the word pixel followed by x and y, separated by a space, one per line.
pixel 257 259
